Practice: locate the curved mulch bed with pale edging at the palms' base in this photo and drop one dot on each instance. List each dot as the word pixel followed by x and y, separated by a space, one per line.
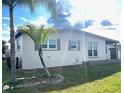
pixel 36 80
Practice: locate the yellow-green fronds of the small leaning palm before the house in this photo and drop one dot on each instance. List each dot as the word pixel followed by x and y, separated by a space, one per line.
pixel 38 35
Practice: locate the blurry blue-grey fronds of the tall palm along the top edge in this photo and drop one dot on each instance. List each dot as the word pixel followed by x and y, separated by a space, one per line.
pixel 50 5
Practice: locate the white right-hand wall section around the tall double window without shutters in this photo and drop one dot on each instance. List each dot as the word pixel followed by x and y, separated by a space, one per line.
pixel 100 48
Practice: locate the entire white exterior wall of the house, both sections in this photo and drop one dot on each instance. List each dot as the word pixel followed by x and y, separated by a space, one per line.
pixel 64 56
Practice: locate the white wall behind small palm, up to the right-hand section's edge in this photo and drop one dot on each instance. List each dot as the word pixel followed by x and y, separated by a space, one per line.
pixel 60 57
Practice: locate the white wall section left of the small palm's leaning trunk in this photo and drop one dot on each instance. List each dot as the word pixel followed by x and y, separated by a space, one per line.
pixel 30 56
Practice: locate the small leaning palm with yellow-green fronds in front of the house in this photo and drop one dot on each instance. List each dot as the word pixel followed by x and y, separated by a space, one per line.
pixel 39 36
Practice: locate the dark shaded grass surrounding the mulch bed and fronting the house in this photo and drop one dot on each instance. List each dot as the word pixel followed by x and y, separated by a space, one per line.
pixel 74 76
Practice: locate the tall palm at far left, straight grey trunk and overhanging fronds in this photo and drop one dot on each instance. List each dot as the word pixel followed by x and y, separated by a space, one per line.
pixel 49 4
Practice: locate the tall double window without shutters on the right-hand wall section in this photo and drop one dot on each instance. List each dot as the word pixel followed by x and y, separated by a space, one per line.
pixel 92 49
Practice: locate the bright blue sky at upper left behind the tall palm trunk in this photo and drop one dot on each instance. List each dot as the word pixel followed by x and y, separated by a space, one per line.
pixel 21 14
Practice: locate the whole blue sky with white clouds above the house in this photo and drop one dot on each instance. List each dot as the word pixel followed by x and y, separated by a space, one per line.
pixel 104 13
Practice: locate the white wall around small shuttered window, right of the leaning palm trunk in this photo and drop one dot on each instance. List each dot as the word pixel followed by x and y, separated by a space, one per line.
pixel 64 56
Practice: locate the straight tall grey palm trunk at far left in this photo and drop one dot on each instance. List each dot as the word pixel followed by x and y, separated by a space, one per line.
pixel 12 44
